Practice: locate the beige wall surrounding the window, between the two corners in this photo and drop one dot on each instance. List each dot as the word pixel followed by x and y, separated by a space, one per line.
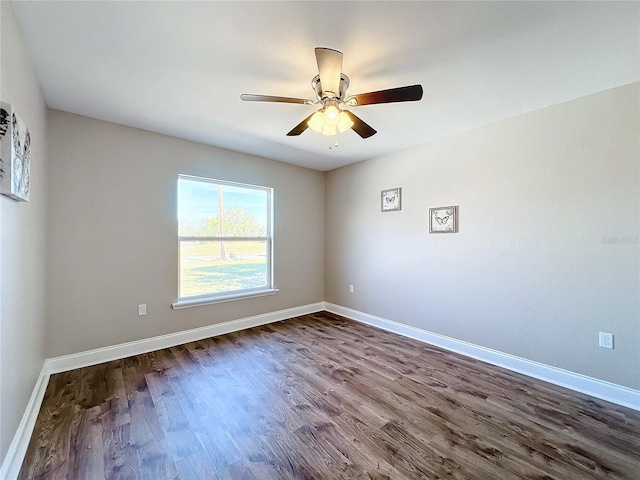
pixel 113 232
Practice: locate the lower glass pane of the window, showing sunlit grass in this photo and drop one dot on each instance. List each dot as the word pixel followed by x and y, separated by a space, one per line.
pixel 208 267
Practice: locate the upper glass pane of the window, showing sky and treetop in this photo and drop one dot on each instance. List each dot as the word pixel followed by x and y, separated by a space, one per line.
pixel 244 210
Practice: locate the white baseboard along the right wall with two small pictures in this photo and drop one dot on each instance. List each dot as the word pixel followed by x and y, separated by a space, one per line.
pixel 610 392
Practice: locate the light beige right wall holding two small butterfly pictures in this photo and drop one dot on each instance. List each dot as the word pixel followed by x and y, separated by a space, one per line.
pixel 547 254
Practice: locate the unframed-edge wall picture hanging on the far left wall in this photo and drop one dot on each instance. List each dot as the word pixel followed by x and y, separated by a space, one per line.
pixel 15 148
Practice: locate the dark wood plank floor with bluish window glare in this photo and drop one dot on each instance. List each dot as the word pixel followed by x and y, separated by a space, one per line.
pixel 322 397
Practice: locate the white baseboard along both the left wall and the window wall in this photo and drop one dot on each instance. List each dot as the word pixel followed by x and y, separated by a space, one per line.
pixel 12 462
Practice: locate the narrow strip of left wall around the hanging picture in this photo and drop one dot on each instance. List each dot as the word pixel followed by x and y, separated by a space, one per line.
pixel 22 241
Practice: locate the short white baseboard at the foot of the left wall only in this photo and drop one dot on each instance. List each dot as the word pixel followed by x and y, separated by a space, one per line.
pixel 12 462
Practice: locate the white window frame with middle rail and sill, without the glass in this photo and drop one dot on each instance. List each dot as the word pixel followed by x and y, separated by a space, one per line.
pixel 210 298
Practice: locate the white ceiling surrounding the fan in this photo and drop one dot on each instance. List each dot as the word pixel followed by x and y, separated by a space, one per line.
pixel 179 68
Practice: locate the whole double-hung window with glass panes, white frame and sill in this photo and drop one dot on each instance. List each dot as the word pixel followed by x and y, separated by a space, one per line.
pixel 226 241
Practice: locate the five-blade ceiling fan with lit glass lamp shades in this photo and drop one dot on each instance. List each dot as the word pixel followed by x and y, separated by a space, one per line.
pixel 331 86
